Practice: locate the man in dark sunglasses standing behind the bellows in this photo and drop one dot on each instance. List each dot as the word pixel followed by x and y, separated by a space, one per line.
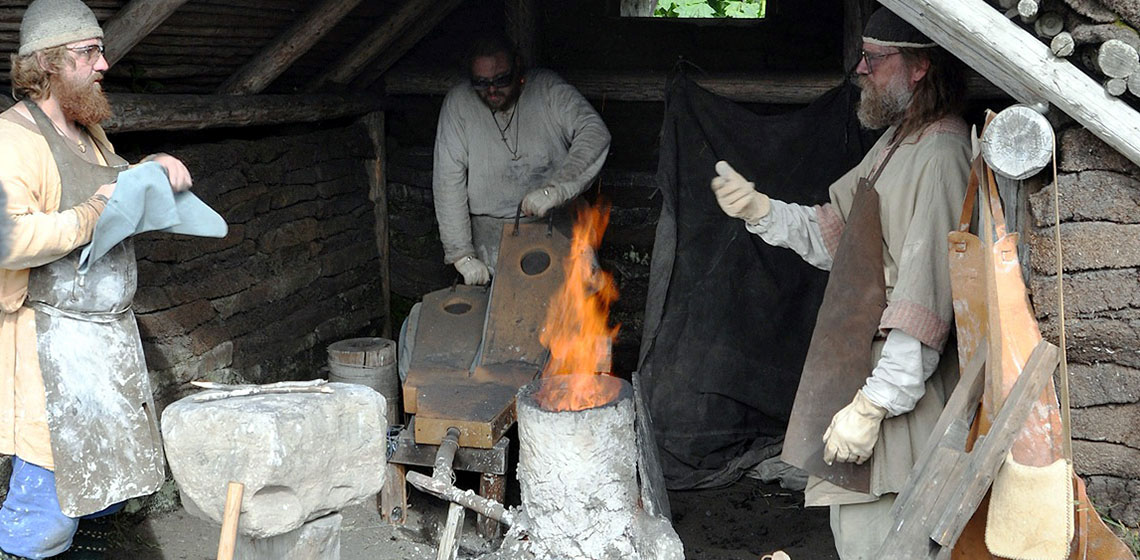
pixel 507 139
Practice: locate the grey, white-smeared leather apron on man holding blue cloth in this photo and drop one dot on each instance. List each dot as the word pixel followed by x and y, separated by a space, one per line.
pixel 101 411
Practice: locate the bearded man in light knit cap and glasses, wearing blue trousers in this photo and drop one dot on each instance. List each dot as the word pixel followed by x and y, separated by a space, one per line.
pixel 69 343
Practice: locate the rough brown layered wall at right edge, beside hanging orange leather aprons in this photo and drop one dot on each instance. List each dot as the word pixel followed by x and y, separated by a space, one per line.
pixel 1101 245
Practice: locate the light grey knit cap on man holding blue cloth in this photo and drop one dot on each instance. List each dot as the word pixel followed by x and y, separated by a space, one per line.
pixel 52 23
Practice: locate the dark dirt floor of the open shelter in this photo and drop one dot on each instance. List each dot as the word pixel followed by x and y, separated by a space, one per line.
pixel 746 521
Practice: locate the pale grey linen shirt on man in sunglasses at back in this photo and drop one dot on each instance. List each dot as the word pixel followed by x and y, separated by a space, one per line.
pixel 486 163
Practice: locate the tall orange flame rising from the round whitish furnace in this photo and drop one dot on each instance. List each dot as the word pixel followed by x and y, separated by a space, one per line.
pixel 576 330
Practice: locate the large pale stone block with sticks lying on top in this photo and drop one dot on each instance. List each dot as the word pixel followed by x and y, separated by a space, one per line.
pixel 299 456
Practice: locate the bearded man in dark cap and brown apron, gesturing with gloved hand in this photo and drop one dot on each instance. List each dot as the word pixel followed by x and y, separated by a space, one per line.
pixel 886 314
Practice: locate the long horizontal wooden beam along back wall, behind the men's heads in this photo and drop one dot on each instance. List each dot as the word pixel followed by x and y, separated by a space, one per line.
pixel 652 86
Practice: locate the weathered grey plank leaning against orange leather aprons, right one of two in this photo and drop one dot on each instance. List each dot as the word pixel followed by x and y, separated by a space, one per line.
pixel 990 453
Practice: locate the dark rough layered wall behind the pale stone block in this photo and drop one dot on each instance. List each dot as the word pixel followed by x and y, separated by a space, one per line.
pixel 298 271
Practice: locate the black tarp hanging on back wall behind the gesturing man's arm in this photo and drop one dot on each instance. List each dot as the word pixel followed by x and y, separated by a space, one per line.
pixel 728 318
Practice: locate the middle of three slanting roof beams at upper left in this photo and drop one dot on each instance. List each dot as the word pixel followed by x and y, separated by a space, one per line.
pixel 275 59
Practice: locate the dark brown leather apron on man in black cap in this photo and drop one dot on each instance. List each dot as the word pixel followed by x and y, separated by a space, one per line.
pixel 840 359
